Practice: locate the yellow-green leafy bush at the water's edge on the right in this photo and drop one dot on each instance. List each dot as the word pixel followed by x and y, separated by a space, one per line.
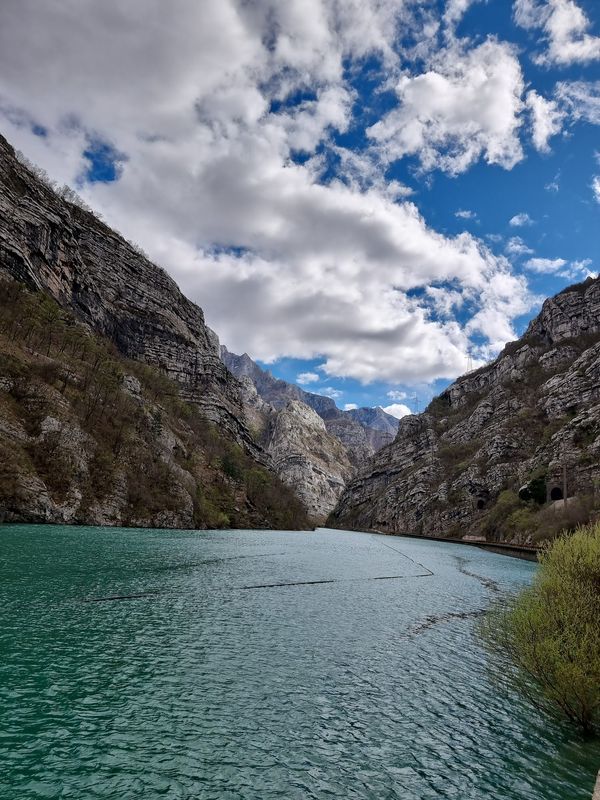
pixel 546 641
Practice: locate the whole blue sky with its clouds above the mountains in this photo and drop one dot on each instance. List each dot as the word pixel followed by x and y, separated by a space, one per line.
pixel 369 197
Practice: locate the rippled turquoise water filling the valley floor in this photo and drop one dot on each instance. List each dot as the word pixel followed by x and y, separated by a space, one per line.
pixel 166 664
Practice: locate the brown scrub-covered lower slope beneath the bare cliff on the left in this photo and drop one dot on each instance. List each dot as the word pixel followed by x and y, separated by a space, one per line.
pixel 94 431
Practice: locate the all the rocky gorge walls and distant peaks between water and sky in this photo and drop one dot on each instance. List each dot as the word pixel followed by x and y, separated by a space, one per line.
pixel 221 437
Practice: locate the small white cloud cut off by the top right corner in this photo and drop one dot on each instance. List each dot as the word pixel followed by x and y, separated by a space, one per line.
pixel 565 29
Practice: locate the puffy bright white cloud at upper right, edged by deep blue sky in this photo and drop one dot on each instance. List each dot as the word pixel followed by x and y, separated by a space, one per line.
pixel 464 108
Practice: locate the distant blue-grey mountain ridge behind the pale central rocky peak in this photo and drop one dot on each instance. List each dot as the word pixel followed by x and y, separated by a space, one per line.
pixel 362 431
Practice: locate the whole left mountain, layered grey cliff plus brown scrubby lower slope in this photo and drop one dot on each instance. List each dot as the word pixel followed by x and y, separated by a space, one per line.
pixel 115 405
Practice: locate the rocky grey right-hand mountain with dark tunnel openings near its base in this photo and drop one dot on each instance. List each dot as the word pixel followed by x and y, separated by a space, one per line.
pixel 491 457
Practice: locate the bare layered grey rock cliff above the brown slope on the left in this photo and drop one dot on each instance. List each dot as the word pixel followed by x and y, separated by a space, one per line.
pixel 55 246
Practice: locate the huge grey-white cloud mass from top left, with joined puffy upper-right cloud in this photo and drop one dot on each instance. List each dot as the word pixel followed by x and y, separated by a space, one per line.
pixel 210 110
